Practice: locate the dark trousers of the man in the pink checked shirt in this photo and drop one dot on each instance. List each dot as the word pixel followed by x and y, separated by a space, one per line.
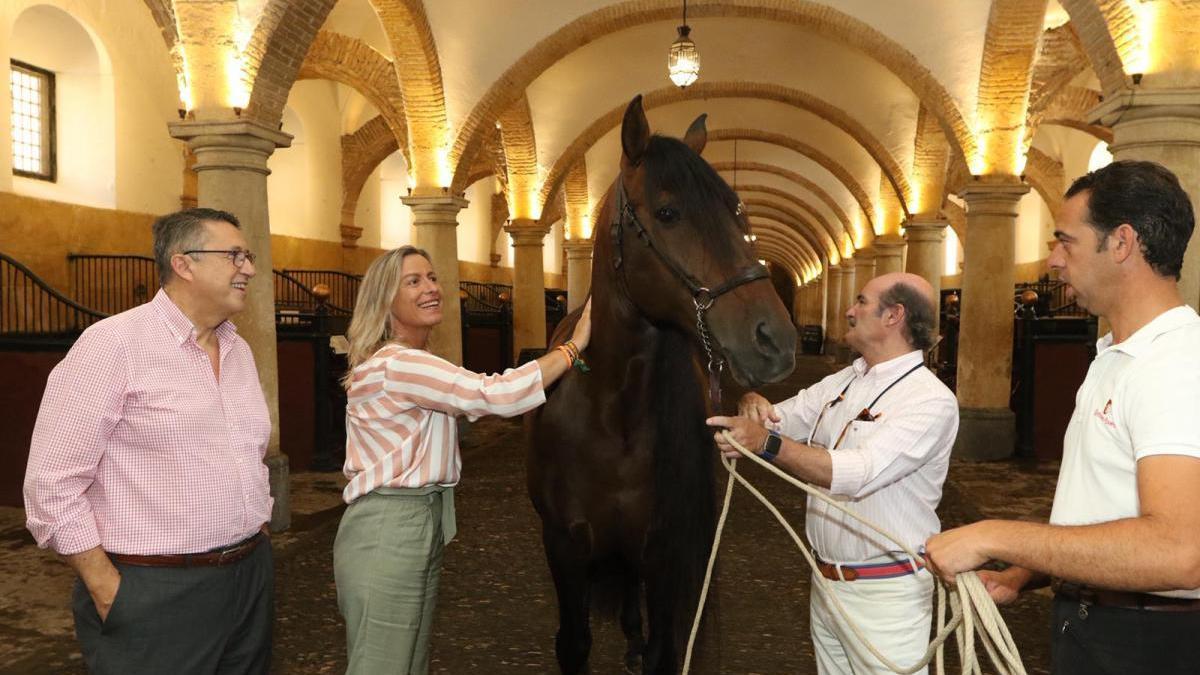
pixel 183 622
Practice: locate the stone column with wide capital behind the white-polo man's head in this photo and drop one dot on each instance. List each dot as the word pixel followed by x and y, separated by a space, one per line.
pixel 1162 126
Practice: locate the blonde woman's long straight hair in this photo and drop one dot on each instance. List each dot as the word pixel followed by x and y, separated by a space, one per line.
pixel 371 325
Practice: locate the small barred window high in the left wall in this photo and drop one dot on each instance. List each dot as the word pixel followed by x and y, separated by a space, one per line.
pixel 33 122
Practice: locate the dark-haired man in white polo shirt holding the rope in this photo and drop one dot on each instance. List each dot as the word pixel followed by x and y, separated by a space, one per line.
pixel 1124 541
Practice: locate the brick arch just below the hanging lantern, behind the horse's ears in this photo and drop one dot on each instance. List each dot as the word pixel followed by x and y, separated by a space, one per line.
pixel 765 92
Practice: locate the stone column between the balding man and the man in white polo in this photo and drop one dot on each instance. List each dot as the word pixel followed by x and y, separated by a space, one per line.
pixel 988 427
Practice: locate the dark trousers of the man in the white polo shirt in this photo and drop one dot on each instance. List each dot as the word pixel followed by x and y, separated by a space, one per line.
pixel 1102 641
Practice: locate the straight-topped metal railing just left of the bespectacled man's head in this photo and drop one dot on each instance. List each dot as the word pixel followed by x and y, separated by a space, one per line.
pixel 112 284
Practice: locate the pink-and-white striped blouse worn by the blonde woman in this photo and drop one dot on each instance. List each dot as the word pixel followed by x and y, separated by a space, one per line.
pixel 400 416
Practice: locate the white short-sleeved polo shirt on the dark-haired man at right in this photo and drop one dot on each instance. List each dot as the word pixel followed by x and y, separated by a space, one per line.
pixel 1141 398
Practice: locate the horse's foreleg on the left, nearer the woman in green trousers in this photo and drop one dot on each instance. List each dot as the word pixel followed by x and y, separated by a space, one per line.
pixel 569 569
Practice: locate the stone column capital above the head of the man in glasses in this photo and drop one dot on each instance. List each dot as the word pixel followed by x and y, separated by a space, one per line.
pixel 233 146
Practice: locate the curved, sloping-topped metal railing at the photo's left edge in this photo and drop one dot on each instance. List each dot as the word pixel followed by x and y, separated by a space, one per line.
pixel 31 308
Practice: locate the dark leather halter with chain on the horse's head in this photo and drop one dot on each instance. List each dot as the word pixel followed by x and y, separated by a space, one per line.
pixel 701 296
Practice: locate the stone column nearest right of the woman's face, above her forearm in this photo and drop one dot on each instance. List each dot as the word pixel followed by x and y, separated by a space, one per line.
pixel 529 285
